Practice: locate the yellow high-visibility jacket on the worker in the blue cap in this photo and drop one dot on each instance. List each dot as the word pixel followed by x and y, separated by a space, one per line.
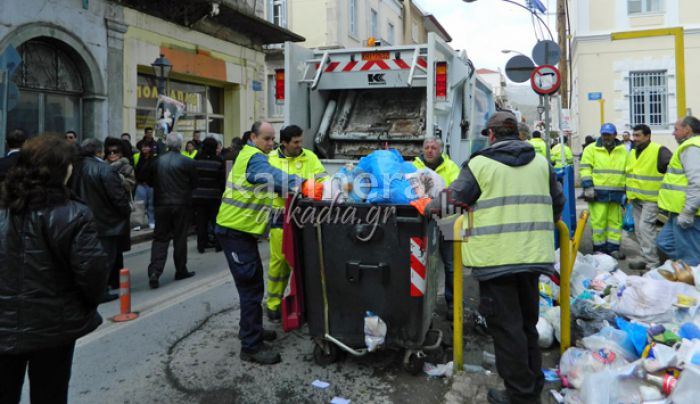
pixel 606 170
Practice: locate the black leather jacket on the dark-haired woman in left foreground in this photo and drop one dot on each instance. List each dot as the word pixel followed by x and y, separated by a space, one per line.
pixel 52 272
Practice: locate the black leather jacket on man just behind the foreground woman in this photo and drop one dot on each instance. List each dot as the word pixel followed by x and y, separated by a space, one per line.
pixel 99 186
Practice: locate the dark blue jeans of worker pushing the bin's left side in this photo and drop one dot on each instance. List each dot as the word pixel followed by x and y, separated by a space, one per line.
pixel 241 250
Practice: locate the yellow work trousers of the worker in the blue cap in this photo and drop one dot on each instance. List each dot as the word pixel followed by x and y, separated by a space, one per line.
pixel 606 223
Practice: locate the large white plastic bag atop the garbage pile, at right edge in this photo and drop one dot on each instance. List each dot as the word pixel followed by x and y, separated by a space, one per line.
pixel 651 300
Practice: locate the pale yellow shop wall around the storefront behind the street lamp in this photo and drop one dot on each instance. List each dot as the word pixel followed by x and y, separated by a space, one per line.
pixel 235 67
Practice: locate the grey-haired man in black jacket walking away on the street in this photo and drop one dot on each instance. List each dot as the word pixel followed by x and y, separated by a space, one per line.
pixel 174 178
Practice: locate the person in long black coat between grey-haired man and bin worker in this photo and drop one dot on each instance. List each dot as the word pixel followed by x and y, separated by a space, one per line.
pixel 206 198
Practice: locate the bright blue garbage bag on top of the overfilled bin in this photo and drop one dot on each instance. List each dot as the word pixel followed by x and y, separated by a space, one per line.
pixel 383 172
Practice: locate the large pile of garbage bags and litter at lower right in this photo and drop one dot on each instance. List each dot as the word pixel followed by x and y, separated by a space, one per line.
pixel 638 337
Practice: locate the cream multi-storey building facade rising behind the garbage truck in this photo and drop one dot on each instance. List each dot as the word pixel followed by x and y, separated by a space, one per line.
pixel 333 24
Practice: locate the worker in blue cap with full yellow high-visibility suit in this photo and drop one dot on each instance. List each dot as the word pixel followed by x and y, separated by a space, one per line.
pixel 602 172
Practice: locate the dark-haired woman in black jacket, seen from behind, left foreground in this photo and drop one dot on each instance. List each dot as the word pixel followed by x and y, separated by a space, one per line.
pixel 52 273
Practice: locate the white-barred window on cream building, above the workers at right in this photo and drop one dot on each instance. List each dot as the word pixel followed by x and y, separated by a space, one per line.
pixel 649 98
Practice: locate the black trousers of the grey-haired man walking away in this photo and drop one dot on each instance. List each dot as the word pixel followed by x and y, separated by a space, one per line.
pixel 172 222
